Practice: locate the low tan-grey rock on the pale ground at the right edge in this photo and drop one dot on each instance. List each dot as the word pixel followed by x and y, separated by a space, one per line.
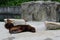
pixel 52 25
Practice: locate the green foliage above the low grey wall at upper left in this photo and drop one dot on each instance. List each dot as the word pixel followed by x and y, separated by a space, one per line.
pixel 12 2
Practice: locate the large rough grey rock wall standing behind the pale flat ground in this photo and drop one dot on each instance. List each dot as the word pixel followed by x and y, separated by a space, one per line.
pixel 39 11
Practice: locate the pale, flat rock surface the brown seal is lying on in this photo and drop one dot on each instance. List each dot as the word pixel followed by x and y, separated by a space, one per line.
pixel 42 34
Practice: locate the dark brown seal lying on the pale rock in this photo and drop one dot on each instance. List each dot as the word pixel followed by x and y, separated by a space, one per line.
pixel 18 28
